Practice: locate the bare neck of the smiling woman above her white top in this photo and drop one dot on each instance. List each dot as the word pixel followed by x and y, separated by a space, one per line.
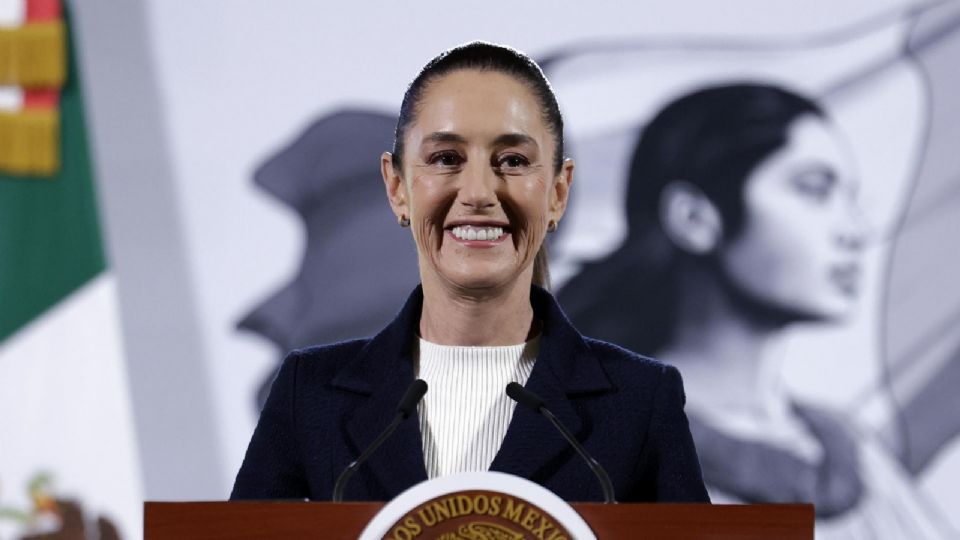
pixel 487 317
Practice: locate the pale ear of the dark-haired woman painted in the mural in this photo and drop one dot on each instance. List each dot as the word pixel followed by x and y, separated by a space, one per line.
pixel 689 218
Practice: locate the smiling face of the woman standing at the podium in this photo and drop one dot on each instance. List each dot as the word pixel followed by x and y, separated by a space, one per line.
pixel 478 182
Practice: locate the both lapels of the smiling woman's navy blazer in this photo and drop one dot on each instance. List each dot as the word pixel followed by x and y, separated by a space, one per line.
pixel 383 369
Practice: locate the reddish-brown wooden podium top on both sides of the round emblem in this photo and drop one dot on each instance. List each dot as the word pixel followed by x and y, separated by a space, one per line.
pixel 264 520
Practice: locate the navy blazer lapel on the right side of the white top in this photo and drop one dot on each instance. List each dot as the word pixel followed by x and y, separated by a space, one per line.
pixel 565 368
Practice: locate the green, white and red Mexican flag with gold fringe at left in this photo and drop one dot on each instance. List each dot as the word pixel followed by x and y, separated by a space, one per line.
pixel 65 414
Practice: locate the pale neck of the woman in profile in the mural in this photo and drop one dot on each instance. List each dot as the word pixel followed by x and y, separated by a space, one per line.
pixel 730 359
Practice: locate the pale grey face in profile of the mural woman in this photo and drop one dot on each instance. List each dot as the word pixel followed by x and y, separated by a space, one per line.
pixel 800 247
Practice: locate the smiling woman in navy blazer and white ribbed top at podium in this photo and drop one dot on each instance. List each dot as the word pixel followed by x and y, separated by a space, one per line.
pixel 478 174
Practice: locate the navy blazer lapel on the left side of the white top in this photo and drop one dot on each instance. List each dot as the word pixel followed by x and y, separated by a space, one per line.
pixel 379 376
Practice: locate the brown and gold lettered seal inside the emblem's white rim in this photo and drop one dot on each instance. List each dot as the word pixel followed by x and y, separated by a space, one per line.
pixel 477 515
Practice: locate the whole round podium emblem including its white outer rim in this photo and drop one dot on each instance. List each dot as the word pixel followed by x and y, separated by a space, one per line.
pixel 477 506
